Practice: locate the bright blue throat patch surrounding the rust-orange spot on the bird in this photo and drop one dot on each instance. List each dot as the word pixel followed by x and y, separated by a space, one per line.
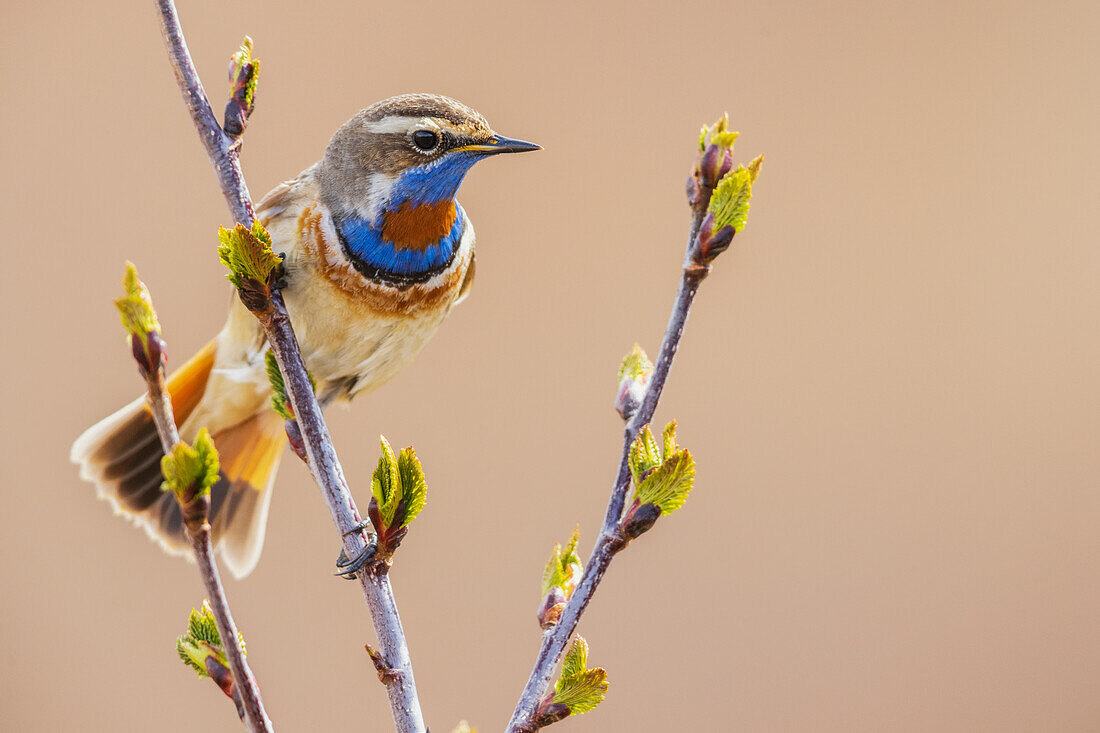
pixel 377 258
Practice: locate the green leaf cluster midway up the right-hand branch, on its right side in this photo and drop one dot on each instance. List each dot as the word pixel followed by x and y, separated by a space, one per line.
pixel 662 476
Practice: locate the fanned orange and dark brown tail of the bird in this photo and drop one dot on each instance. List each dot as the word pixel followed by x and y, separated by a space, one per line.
pixel 122 455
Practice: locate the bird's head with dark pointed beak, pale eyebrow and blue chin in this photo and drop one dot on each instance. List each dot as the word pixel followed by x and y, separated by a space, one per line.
pixel 406 152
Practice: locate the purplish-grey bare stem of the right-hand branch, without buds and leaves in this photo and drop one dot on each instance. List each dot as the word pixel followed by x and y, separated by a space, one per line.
pixel 611 541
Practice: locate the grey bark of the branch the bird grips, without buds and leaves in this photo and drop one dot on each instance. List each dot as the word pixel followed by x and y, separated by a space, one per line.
pixel 324 463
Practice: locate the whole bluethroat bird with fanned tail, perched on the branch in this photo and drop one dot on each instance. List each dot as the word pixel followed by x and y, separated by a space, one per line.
pixel 377 250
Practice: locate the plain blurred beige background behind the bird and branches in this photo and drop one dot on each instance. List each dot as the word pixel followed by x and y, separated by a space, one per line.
pixel 890 381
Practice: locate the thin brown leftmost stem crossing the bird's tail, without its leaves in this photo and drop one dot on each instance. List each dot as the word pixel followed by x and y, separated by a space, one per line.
pixel 196 515
